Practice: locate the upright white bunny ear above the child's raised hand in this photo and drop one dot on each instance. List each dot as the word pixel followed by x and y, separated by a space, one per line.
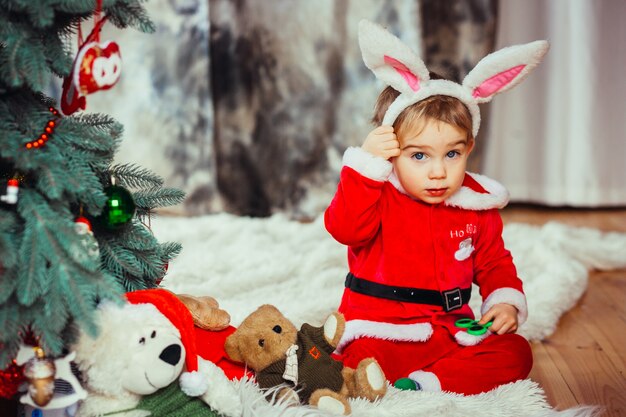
pixel 390 59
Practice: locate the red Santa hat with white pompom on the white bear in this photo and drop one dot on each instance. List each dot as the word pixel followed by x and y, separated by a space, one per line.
pixel 192 382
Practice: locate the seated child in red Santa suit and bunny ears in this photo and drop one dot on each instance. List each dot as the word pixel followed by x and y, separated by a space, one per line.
pixel 420 230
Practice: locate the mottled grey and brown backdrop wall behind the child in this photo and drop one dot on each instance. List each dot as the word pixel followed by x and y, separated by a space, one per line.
pixel 248 105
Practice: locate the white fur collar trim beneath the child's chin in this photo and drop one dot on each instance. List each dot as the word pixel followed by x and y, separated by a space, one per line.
pixel 468 199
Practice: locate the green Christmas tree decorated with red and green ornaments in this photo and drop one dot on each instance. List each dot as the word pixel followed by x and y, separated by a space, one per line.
pixel 58 180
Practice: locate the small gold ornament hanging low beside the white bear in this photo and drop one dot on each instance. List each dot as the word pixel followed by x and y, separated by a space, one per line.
pixel 40 372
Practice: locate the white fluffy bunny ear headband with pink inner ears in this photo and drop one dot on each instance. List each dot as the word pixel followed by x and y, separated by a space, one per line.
pixel 397 65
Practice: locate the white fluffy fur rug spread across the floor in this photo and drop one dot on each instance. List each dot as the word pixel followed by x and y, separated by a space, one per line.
pixel 246 262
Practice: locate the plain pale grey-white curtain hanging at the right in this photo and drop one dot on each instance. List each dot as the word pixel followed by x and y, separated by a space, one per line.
pixel 559 139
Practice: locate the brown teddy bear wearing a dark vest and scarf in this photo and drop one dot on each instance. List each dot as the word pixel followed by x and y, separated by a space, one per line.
pixel 280 354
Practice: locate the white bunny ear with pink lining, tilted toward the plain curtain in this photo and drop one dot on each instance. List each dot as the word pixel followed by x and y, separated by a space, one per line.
pixel 504 69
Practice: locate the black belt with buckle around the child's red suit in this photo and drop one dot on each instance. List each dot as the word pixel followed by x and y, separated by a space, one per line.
pixel 449 300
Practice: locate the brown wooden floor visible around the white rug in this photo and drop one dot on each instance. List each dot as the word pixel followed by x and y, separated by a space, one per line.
pixel 584 361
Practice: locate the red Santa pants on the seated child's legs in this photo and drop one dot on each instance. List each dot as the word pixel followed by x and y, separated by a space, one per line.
pixel 497 360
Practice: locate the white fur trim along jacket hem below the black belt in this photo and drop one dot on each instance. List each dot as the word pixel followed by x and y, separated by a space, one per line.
pixel 355 329
